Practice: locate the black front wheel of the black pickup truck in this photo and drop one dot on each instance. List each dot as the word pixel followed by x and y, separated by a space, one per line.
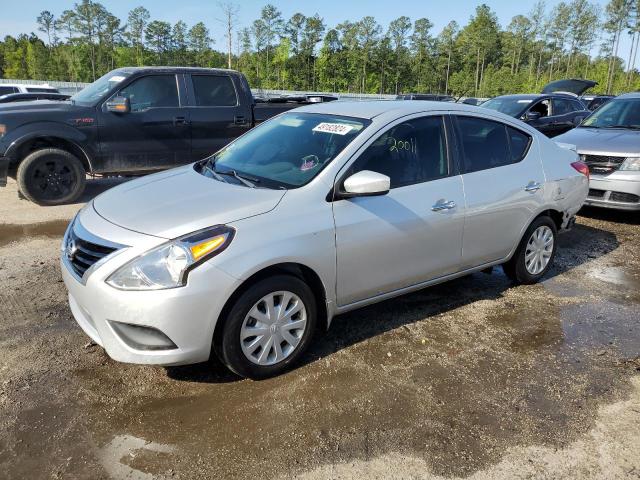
pixel 51 177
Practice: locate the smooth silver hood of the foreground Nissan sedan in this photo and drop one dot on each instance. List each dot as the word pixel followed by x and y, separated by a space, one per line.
pixel 180 201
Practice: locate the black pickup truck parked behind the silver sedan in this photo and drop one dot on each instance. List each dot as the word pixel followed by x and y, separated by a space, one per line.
pixel 130 121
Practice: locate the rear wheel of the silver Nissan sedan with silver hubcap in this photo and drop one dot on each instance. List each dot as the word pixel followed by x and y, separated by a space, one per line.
pixel 535 254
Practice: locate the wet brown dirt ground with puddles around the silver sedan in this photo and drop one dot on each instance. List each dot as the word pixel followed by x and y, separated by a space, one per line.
pixel 474 378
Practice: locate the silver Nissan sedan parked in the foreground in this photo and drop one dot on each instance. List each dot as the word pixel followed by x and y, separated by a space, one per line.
pixel 318 211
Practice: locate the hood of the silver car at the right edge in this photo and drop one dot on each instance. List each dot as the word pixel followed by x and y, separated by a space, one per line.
pixel 613 141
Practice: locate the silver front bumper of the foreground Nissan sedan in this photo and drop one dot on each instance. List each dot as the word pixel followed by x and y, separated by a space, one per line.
pixel 186 315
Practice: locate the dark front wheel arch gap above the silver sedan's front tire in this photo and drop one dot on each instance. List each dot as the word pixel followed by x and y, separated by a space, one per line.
pixel 303 272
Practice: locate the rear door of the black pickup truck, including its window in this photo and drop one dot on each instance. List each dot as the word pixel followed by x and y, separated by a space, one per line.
pixel 217 113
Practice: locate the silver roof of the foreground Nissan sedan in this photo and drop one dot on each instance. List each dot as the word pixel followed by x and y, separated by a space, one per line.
pixel 370 109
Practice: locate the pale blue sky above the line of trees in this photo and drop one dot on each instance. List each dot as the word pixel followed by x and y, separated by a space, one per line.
pixel 23 19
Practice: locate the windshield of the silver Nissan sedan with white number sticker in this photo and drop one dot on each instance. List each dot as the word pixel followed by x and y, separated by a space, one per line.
pixel 285 152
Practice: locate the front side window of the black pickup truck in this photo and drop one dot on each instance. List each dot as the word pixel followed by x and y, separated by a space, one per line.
pixel 154 91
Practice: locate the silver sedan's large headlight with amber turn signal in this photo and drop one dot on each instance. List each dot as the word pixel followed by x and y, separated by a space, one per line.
pixel 168 265
